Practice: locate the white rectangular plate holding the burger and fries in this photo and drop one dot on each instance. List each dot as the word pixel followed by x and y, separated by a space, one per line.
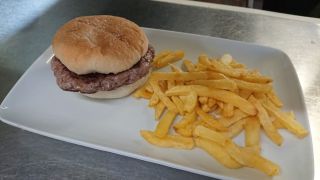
pixel 37 104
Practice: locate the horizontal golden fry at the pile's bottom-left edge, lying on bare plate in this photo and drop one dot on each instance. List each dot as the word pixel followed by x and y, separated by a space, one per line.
pixel 169 141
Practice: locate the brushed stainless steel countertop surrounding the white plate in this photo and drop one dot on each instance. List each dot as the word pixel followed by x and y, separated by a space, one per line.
pixel 27 27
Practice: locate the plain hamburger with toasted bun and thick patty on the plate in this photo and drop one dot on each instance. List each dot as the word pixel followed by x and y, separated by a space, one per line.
pixel 101 56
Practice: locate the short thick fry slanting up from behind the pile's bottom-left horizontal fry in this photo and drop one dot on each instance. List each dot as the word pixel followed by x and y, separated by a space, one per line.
pixel 163 126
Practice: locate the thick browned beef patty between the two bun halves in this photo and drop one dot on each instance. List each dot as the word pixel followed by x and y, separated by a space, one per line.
pixel 94 82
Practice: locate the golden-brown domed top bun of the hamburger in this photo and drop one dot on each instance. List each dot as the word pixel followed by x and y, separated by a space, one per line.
pixel 103 44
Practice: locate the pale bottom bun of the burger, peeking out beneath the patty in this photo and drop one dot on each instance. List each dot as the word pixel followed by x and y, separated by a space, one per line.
pixel 120 91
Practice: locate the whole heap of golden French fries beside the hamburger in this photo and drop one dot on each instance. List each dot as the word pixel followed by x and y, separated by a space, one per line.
pixel 218 98
